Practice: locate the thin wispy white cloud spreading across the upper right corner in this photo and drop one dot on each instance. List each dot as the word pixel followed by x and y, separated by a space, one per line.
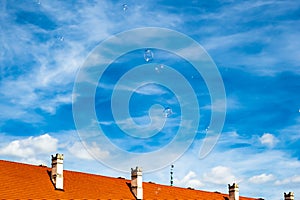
pixel 229 42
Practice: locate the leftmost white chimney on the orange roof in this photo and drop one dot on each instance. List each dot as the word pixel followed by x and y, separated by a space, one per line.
pixel 57 171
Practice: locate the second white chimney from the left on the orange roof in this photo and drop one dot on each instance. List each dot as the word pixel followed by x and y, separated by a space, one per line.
pixel 137 182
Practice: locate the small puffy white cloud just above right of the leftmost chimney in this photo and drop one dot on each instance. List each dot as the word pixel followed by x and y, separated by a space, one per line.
pixel 79 151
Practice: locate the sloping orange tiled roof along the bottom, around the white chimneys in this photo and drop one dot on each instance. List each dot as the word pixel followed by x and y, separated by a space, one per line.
pixel 24 181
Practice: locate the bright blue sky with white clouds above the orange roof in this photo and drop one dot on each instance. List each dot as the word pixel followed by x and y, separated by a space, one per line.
pixel 254 44
